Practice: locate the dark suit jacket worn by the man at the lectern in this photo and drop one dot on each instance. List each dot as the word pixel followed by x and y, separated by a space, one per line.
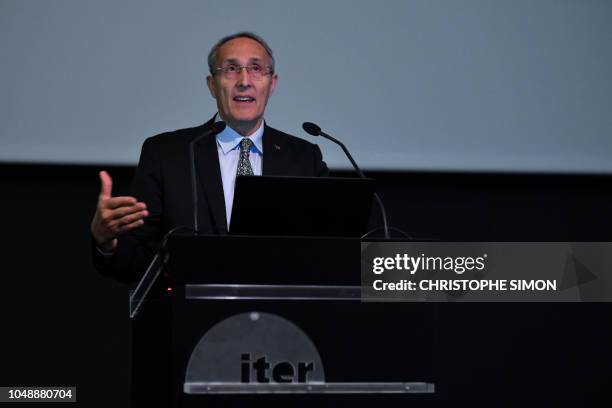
pixel 163 182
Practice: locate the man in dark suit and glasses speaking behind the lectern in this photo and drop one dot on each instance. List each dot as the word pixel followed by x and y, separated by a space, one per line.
pixel 127 230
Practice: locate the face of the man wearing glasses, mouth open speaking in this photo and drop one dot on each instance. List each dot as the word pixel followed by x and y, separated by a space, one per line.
pixel 242 101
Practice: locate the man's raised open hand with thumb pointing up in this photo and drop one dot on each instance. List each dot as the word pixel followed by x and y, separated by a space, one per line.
pixel 115 215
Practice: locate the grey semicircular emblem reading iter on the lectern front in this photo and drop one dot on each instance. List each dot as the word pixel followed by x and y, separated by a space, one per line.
pixel 252 350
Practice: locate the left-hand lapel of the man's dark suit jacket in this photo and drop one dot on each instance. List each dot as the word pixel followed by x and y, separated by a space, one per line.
pixel 209 175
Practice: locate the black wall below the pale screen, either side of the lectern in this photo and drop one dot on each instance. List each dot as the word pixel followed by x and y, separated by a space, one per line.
pixel 63 324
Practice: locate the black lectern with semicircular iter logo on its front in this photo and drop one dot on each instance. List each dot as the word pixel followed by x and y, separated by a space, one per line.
pixel 236 320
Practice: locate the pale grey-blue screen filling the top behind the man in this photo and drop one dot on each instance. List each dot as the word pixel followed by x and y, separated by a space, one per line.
pixel 422 84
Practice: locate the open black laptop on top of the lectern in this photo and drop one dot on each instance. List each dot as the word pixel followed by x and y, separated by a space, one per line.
pixel 301 206
